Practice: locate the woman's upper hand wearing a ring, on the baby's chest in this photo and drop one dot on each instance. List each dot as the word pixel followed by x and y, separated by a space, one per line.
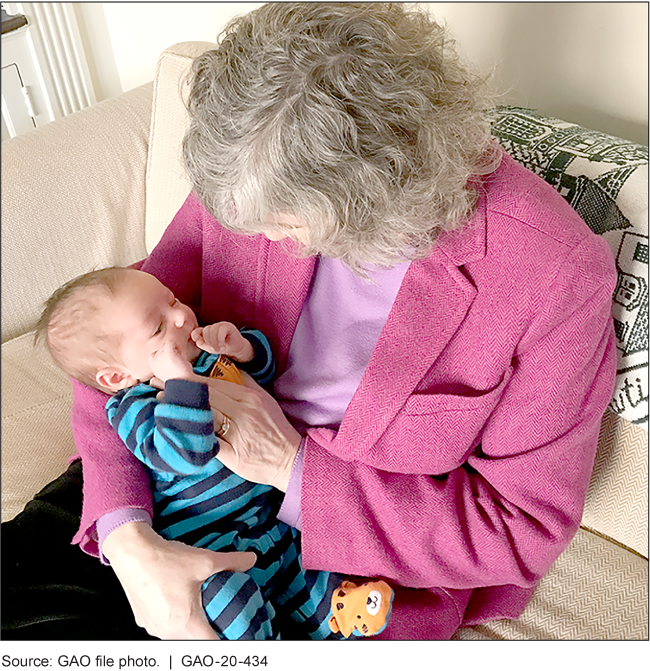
pixel 256 441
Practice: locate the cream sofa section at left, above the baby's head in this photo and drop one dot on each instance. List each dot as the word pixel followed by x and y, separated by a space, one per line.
pixel 73 199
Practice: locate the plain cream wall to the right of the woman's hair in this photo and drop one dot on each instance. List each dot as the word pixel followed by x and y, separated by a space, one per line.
pixel 585 62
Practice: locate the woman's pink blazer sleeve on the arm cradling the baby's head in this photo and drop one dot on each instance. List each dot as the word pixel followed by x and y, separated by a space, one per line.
pixel 177 262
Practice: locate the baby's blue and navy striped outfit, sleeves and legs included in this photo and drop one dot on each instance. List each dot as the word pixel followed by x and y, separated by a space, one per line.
pixel 198 501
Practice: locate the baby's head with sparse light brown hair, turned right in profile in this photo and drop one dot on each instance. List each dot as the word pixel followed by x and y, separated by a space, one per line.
pixel 104 327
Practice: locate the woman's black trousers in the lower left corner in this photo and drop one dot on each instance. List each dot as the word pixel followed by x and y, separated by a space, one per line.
pixel 51 590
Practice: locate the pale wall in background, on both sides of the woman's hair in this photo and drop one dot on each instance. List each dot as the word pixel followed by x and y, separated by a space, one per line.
pixel 585 62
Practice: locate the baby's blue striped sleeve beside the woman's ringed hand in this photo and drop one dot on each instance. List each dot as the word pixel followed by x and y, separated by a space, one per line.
pixel 175 435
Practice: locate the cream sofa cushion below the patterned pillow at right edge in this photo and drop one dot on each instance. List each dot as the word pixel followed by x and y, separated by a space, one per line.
pixel 617 500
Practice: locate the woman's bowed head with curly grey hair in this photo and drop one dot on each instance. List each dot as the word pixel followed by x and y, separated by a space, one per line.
pixel 356 119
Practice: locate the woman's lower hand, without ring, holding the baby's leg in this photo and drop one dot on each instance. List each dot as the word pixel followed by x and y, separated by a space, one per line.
pixel 162 579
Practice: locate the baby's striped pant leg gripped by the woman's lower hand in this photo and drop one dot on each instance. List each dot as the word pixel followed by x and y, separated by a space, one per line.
pixel 236 608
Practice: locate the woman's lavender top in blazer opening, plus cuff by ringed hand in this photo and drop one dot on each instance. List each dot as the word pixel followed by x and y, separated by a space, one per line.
pixel 336 334
